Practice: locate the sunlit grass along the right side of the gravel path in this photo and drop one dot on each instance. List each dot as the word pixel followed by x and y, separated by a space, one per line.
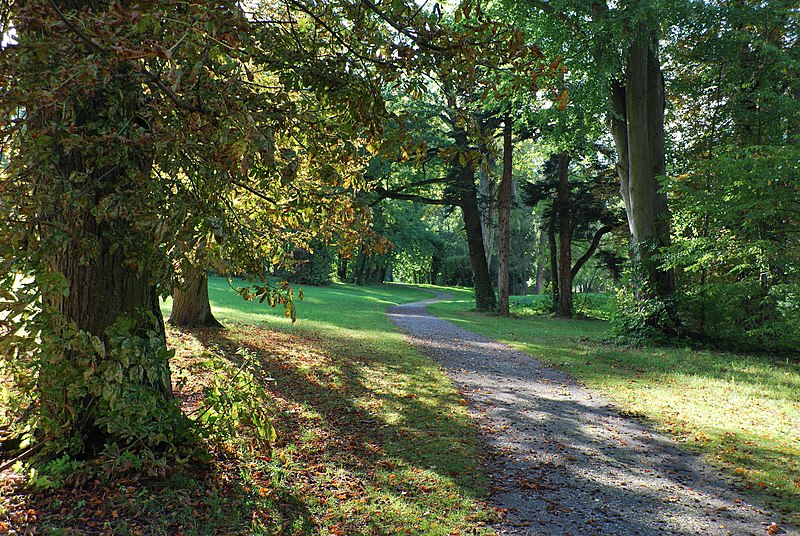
pixel 742 412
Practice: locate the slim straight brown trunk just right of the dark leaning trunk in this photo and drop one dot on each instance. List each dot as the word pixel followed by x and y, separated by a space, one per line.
pixel 504 220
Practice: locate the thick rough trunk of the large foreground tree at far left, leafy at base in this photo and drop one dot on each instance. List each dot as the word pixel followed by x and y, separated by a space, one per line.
pixel 87 379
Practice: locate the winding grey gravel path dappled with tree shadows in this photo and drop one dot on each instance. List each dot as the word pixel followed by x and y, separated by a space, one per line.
pixel 563 461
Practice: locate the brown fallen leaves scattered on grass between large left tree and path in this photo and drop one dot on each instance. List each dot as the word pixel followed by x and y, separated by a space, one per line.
pixel 337 467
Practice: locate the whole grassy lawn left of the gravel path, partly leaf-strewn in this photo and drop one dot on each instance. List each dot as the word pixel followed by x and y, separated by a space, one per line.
pixel 371 436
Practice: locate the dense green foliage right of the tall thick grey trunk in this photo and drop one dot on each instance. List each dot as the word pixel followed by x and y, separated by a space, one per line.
pixel 734 185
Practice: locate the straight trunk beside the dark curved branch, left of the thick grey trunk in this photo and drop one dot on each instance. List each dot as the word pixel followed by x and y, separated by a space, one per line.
pixel 564 211
